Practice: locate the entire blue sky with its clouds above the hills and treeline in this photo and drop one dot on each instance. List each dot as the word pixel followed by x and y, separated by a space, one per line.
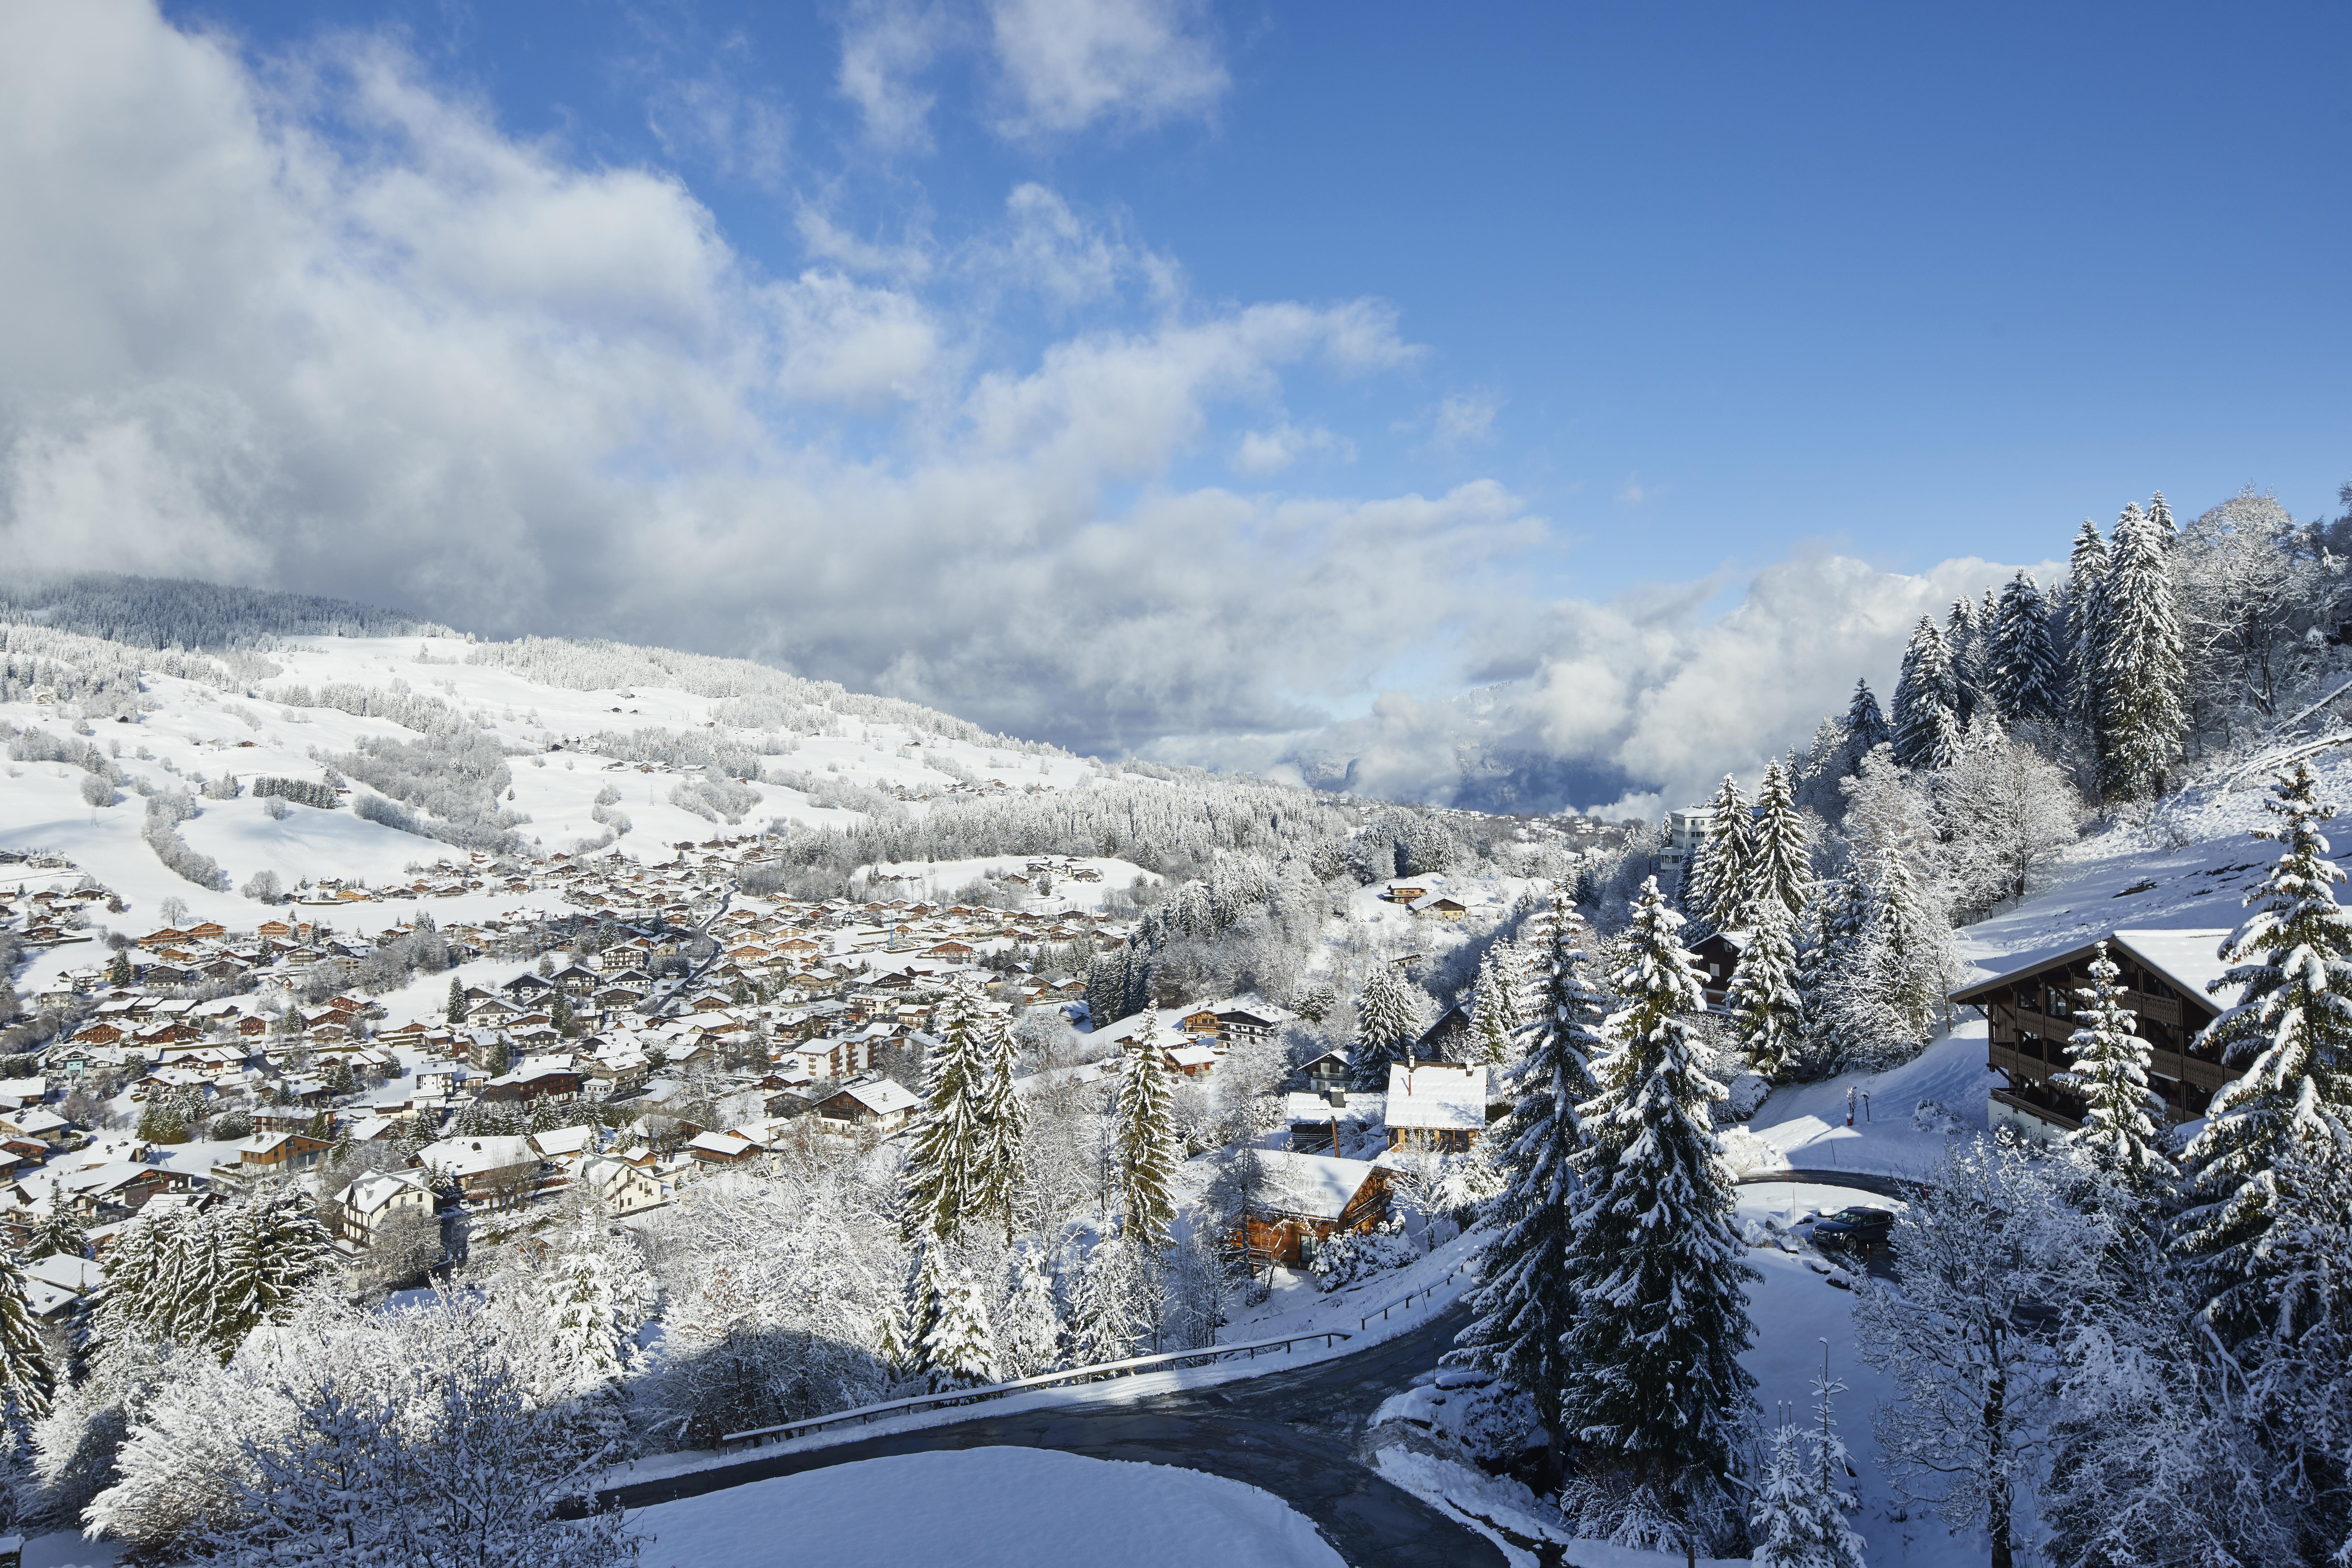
pixel 1342 356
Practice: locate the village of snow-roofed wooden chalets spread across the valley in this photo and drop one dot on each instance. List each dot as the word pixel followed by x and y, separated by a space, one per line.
pixel 704 1028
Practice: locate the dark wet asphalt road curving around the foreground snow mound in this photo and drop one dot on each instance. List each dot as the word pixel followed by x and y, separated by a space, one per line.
pixel 1292 1435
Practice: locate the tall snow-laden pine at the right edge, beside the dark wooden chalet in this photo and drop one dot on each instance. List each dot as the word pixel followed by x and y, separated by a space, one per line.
pixel 2292 1028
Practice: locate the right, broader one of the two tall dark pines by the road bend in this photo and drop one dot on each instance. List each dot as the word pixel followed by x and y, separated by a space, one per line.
pixel 1655 1393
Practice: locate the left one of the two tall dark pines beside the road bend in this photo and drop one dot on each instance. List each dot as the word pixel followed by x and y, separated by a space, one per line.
pixel 1528 1296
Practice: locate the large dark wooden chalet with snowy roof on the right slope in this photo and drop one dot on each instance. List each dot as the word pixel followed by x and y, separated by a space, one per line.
pixel 2031 1014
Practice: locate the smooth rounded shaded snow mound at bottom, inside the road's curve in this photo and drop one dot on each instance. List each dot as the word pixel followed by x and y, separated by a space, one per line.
pixel 987 1508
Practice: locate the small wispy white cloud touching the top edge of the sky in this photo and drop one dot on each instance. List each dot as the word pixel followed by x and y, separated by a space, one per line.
pixel 1074 65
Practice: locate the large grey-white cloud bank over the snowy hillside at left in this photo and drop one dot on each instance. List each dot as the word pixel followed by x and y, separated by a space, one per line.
pixel 363 342
